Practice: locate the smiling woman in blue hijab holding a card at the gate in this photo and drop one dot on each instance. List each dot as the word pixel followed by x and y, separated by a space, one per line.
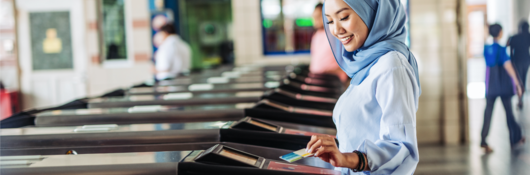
pixel 376 115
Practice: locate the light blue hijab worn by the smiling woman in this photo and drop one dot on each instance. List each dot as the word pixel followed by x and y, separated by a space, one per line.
pixel 386 21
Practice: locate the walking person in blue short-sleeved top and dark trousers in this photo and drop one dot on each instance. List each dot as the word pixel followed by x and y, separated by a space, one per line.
pixel 500 81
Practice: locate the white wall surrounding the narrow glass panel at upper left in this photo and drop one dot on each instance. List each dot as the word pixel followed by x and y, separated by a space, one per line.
pixel 103 78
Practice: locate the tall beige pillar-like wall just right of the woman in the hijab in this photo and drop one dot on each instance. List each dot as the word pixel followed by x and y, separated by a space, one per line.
pixel 436 45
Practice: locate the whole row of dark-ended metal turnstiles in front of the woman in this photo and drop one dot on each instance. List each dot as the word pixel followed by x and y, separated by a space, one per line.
pixel 228 120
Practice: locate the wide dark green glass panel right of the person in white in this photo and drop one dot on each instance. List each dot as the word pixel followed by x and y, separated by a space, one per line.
pixel 206 26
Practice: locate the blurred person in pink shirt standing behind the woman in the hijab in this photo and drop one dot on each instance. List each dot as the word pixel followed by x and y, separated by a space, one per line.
pixel 322 59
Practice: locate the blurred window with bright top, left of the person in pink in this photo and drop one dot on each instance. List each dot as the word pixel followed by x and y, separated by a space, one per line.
pixel 287 25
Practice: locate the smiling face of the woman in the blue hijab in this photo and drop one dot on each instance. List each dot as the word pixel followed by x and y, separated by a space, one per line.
pixel 345 24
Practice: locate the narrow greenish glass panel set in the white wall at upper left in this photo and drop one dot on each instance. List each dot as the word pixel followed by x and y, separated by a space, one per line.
pixel 113 30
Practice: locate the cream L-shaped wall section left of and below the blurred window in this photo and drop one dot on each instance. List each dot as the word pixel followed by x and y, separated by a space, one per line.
pixel 247 34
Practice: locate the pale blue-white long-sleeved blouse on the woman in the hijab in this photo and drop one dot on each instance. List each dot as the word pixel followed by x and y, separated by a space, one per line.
pixel 378 117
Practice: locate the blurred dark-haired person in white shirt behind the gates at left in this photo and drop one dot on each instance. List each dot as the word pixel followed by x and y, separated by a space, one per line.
pixel 173 55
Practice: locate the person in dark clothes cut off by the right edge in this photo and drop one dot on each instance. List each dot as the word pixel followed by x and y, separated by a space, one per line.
pixel 520 53
